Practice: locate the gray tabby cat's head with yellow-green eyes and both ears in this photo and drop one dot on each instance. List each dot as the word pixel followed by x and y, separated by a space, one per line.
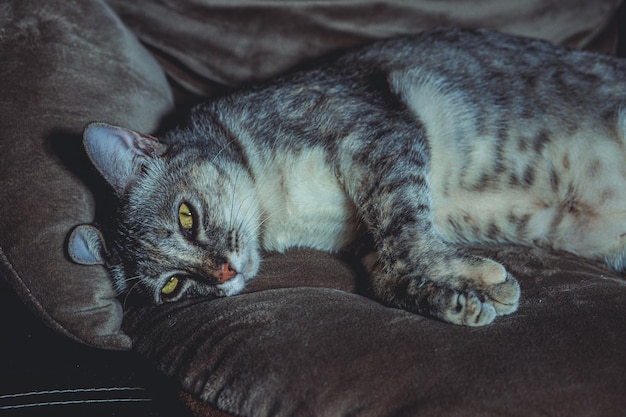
pixel 186 224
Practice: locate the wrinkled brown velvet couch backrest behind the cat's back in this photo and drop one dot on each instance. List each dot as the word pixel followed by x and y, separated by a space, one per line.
pixel 205 42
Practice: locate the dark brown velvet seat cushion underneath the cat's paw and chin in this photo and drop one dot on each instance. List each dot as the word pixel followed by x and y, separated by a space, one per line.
pixel 304 351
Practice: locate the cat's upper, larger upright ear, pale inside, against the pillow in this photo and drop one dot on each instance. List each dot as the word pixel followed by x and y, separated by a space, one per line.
pixel 119 153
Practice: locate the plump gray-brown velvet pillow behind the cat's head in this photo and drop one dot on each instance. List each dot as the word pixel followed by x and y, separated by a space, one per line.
pixel 64 64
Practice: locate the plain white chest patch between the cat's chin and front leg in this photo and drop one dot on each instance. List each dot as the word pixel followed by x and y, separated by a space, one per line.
pixel 303 204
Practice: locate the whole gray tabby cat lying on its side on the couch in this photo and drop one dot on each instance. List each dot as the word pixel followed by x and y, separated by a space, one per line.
pixel 418 143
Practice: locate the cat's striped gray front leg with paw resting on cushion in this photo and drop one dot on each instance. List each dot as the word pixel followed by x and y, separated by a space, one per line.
pixel 413 267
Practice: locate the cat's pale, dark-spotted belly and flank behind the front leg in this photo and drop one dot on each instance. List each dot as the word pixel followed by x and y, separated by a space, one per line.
pixel 543 181
